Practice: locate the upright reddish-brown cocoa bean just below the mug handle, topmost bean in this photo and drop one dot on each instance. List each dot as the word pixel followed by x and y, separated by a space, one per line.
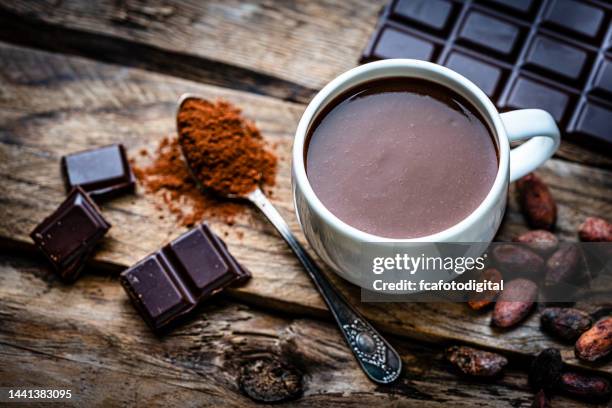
pixel 536 202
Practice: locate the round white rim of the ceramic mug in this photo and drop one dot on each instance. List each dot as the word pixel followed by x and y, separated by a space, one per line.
pixel 460 85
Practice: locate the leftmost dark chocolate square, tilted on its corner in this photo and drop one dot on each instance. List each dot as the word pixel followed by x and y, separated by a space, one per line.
pixel 68 236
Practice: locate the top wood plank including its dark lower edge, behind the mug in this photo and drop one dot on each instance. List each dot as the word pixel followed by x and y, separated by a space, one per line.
pixel 283 49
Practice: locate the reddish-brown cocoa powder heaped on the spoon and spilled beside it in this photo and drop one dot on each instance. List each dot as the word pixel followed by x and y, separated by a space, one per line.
pixel 221 133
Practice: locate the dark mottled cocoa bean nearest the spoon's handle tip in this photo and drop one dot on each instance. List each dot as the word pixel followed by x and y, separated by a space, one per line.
pixel 474 362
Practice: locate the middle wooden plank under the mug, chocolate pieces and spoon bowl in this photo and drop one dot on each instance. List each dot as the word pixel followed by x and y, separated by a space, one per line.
pixel 51 105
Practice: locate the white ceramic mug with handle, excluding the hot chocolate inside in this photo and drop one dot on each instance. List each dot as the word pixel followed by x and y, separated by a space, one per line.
pixel 346 249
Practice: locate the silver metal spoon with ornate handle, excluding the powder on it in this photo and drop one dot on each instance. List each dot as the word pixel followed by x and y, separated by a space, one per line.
pixel 376 357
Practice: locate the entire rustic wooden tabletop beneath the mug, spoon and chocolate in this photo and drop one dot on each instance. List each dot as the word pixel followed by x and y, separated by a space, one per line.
pixel 77 74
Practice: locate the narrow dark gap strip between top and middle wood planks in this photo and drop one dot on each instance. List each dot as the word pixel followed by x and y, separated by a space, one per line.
pixel 20 30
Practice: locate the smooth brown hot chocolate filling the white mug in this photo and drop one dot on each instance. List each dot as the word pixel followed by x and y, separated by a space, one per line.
pixel 400 158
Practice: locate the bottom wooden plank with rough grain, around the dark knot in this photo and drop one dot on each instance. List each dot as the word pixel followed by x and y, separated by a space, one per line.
pixel 88 337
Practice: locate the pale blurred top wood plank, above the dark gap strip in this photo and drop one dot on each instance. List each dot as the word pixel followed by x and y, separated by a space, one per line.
pixel 305 42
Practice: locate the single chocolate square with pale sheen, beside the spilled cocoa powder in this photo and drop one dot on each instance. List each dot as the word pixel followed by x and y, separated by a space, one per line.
pixel 102 172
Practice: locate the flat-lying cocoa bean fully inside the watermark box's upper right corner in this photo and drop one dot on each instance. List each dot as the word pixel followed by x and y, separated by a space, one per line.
pixel 516 259
